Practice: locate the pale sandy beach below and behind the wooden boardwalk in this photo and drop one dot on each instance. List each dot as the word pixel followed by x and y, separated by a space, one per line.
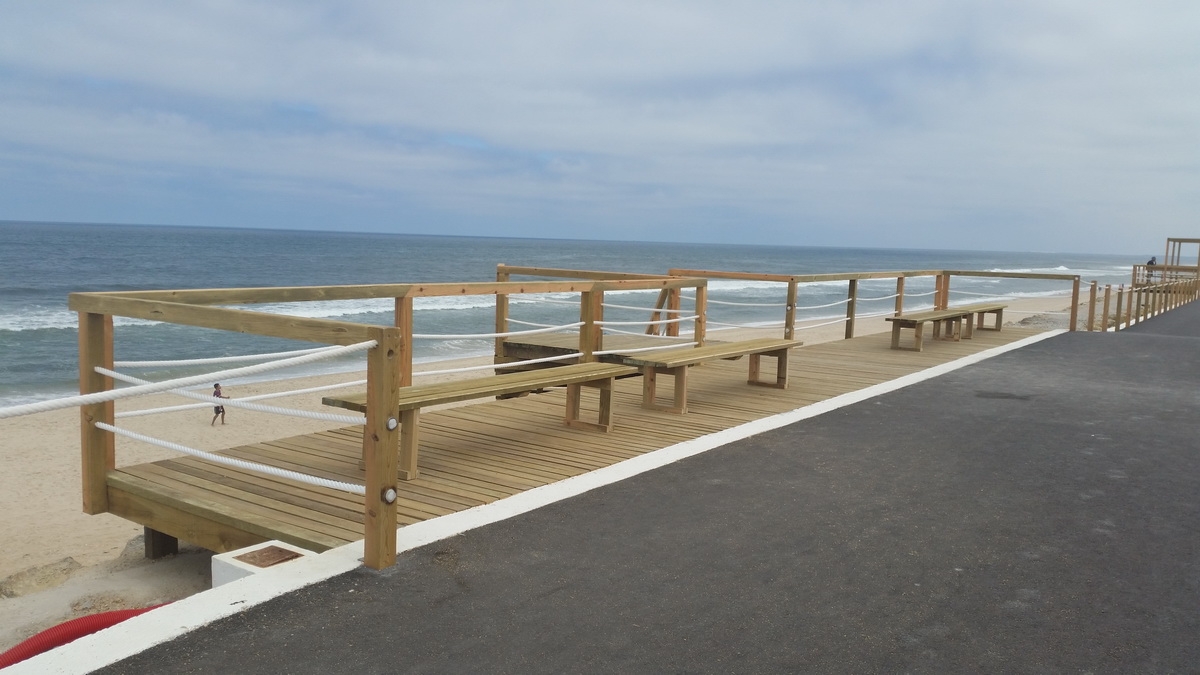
pixel 59 564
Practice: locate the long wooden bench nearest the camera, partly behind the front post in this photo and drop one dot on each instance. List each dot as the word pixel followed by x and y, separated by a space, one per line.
pixel 574 378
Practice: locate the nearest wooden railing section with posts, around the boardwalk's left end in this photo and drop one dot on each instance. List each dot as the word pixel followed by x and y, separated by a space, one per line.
pixel 389 363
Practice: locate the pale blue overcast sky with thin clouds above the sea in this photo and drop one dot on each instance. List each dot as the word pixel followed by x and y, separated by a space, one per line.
pixel 1013 126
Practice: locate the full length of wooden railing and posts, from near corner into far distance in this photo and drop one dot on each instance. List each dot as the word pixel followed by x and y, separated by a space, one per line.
pixel 391 362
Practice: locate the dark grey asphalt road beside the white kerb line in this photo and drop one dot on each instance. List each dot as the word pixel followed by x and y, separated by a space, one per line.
pixel 1039 512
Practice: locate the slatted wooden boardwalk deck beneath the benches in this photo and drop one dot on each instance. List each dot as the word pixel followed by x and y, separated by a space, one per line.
pixel 481 453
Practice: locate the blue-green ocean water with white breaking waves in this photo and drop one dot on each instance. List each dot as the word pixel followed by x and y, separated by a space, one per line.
pixel 41 264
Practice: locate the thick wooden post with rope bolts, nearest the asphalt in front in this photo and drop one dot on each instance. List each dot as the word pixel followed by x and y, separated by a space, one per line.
pixel 381 439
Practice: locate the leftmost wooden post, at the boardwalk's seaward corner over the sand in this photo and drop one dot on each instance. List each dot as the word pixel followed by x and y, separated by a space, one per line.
pixel 98 447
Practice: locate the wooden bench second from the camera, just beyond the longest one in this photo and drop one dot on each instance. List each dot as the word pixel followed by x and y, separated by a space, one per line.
pixel 677 361
